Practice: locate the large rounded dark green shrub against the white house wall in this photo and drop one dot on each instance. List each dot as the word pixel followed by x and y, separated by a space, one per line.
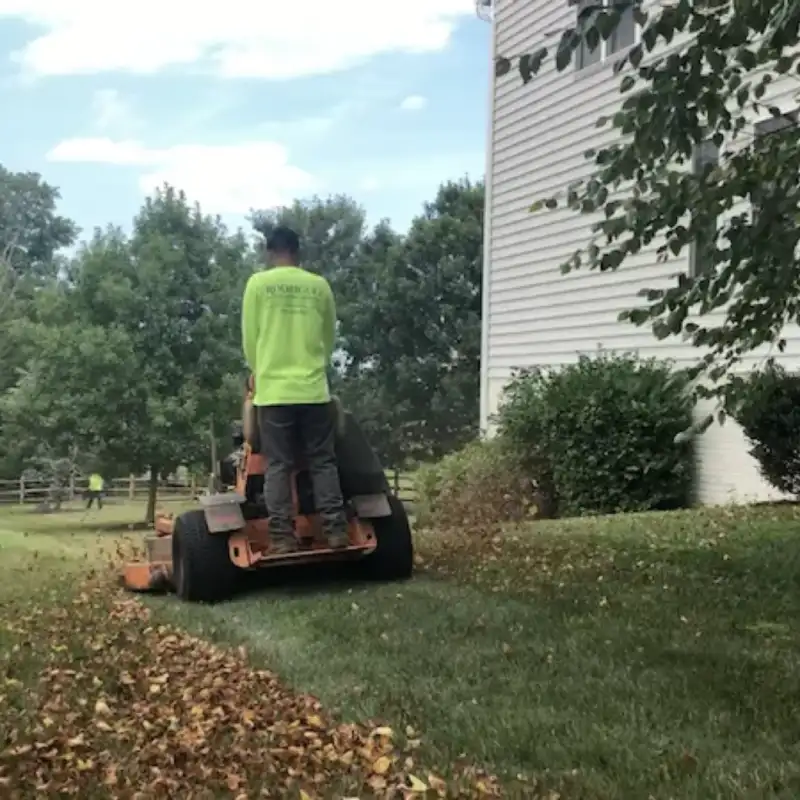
pixel 600 433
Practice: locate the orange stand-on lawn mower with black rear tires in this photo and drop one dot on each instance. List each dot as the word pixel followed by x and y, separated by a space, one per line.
pixel 201 554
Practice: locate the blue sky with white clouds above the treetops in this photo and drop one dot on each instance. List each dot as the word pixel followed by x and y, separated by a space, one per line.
pixel 242 107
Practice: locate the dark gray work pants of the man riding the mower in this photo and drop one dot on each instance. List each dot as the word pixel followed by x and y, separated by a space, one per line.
pixel 308 431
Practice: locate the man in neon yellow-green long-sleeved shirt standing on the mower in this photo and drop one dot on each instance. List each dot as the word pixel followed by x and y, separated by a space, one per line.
pixel 288 334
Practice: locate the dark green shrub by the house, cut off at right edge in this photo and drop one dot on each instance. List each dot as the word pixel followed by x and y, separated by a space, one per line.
pixel 768 409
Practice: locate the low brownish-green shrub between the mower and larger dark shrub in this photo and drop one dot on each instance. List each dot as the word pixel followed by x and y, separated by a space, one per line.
pixel 481 484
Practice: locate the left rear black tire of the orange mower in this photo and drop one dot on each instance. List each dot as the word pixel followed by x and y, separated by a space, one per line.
pixel 202 569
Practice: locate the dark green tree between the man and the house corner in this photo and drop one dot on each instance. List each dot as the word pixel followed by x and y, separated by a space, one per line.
pixel 414 347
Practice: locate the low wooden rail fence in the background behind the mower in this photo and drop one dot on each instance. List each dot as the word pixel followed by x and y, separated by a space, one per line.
pixel 19 491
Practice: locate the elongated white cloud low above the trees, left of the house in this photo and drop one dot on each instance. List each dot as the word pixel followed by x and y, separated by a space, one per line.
pixel 224 179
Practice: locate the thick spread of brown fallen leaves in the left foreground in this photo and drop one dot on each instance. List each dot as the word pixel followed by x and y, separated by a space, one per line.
pixel 125 708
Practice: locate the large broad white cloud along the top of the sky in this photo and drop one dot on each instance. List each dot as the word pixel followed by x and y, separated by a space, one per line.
pixel 267 40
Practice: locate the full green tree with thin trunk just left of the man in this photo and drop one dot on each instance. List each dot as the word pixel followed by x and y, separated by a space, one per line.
pixel 141 374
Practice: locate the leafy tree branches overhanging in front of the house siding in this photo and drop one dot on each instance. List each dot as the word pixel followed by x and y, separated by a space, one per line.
pixel 640 191
